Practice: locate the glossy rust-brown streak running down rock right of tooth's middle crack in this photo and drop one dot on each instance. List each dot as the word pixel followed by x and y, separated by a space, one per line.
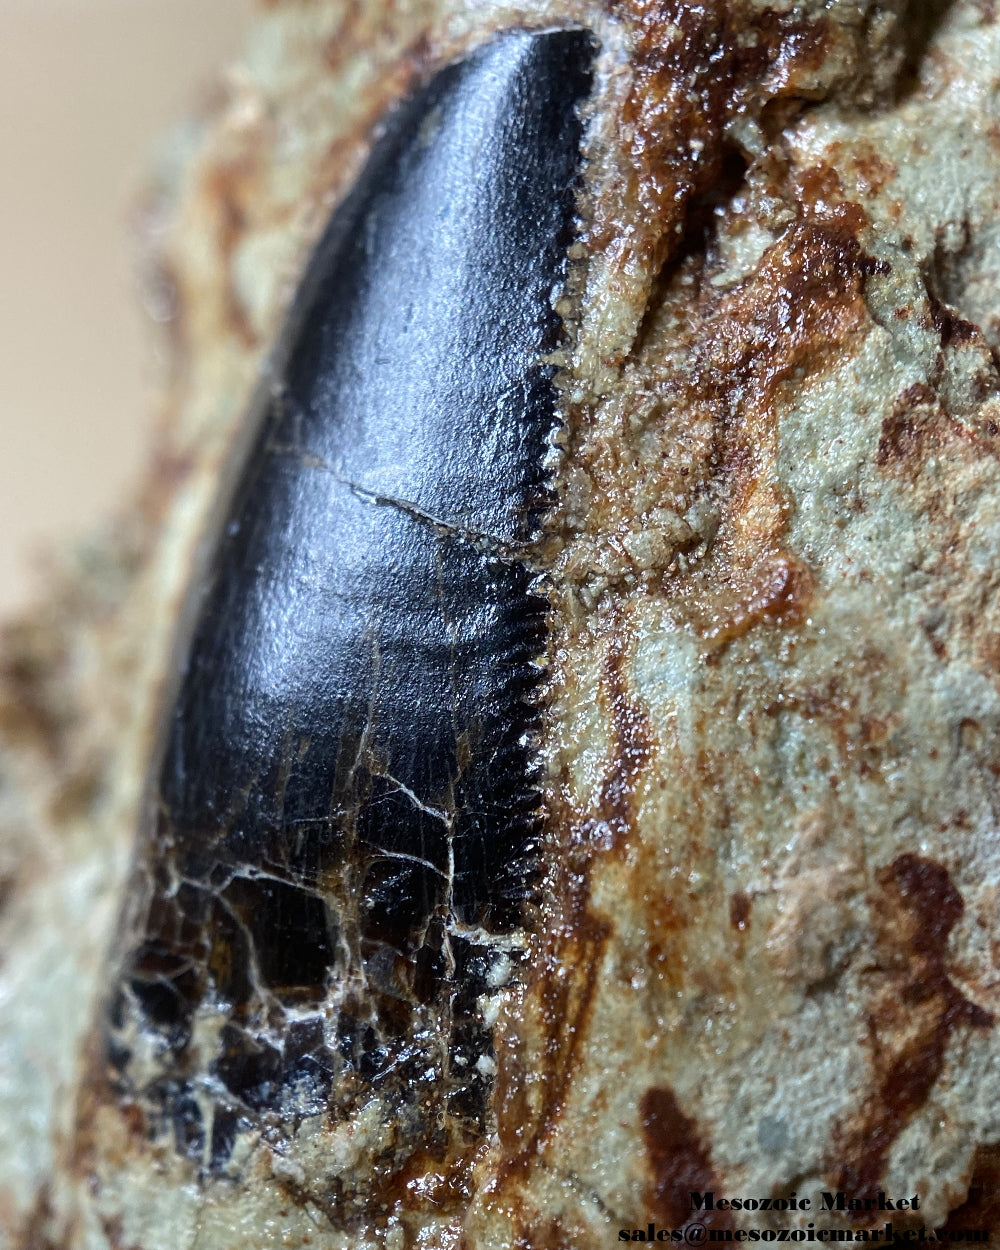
pixel 799 312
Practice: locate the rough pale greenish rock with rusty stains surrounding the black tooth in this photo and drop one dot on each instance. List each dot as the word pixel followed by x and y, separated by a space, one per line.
pixel 768 956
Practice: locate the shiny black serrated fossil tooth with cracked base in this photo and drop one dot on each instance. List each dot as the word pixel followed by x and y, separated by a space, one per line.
pixel 346 771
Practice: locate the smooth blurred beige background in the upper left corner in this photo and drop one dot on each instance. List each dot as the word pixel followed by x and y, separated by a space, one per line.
pixel 87 88
